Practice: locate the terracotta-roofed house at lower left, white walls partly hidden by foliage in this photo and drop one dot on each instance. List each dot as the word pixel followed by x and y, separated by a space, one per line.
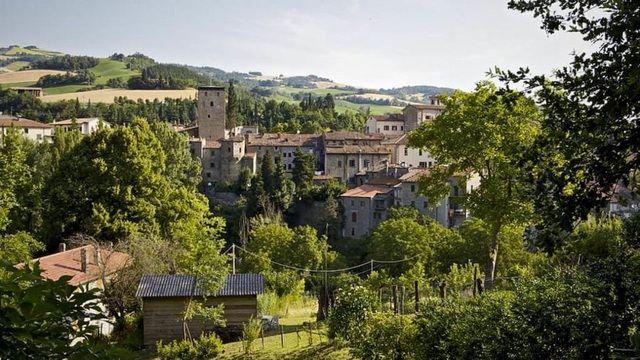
pixel 90 267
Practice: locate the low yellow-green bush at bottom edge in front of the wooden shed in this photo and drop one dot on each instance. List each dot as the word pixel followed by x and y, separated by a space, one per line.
pixel 206 347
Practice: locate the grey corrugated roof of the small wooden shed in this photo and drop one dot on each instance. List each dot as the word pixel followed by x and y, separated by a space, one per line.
pixel 185 285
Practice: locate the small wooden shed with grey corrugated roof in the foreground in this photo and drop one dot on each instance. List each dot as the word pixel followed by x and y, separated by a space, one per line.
pixel 164 299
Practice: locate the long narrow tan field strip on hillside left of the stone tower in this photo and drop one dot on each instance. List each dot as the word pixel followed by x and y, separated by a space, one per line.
pixel 107 95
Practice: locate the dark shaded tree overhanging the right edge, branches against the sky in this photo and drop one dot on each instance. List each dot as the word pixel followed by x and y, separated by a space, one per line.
pixel 590 110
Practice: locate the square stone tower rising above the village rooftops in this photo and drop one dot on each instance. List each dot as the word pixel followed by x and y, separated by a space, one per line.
pixel 211 112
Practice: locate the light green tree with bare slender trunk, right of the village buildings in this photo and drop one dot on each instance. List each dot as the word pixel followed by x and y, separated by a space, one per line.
pixel 485 131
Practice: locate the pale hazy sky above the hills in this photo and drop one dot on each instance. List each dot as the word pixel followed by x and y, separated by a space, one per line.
pixel 364 43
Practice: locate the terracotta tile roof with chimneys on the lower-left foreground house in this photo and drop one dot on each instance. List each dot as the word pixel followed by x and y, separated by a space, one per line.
pixel 69 263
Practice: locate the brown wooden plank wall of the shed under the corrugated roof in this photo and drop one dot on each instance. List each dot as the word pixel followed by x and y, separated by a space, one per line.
pixel 162 316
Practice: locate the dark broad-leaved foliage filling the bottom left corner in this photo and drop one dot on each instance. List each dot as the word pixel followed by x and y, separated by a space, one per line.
pixel 43 319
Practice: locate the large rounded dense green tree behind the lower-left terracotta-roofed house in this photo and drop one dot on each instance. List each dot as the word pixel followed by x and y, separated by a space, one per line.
pixel 110 186
